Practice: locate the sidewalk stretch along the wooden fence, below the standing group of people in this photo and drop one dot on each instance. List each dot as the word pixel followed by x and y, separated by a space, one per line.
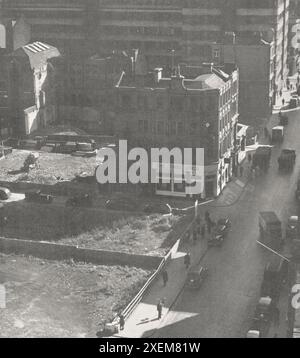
pixel 144 319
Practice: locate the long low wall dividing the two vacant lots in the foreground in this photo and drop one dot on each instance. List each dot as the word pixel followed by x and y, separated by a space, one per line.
pixel 52 251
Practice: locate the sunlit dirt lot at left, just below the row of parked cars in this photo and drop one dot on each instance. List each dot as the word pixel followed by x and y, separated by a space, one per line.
pixel 52 167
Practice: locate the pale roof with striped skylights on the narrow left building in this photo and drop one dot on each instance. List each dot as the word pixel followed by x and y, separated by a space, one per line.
pixel 37 52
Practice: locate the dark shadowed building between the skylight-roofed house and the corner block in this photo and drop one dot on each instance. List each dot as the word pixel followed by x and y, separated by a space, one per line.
pixel 85 88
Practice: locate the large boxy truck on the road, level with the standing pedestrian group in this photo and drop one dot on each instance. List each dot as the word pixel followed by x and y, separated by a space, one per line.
pixel 270 229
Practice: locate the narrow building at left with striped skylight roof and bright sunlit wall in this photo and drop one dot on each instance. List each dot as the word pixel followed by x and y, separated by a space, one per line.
pixel 31 92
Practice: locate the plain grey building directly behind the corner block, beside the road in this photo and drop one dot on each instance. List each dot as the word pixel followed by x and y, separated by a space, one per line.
pixel 257 87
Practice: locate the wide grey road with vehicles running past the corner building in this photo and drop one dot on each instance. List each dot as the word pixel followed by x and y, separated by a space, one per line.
pixel 224 305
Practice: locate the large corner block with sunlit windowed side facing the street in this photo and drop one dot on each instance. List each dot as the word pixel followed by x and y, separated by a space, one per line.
pixel 195 108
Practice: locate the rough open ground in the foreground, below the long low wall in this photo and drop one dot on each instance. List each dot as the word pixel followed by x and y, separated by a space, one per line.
pixel 62 299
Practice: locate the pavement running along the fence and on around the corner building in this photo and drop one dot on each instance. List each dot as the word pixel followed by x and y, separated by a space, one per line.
pixel 143 322
